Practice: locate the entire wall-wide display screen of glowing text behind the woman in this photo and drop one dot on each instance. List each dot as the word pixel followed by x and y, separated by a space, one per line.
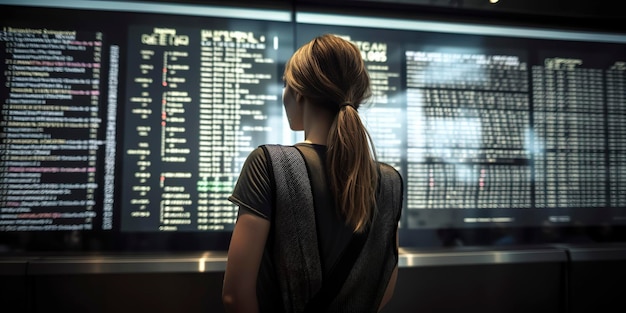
pixel 124 128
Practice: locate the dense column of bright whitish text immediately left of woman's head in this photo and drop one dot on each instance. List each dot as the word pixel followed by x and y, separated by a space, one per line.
pixel 237 68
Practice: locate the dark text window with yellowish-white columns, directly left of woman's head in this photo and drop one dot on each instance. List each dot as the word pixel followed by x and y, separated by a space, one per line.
pixel 199 102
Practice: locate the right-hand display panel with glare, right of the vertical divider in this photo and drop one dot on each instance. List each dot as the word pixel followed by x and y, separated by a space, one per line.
pixel 502 136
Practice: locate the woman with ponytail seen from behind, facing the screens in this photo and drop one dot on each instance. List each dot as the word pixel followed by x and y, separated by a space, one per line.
pixel 325 83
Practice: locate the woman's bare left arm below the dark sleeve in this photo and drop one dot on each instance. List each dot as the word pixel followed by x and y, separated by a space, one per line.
pixel 244 257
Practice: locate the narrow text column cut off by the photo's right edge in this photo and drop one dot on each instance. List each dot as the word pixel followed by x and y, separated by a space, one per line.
pixel 616 105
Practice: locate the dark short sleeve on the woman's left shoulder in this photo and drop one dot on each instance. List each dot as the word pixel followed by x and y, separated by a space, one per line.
pixel 252 191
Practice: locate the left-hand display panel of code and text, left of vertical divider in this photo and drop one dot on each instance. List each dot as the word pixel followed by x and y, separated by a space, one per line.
pixel 125 129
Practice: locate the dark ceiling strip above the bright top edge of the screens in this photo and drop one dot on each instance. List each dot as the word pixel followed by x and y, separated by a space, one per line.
pixel 578 14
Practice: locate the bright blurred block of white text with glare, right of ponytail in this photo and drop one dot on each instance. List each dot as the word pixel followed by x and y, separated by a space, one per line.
pixel 468 122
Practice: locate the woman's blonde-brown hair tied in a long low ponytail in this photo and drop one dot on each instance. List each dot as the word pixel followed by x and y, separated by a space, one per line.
pixel 330 71
